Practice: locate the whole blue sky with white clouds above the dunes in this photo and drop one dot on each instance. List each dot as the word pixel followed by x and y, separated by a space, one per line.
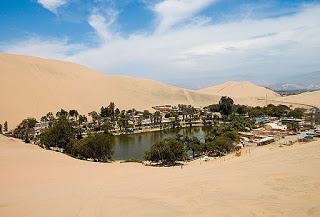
pixel 192 43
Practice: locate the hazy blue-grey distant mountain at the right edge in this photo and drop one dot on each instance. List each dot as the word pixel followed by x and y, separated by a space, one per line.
pixel 307 81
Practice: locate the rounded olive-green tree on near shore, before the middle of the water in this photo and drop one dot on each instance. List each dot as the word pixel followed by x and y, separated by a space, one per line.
pixel 166 152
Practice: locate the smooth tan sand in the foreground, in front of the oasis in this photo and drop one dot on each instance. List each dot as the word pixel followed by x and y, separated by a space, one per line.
pixel 271 181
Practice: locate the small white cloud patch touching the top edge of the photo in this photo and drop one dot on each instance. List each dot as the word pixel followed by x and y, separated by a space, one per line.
pixel 172 12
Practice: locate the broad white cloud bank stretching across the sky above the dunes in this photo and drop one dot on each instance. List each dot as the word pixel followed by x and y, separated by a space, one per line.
pixel 260 48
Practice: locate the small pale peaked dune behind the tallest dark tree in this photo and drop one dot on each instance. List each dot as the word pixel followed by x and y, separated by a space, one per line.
pixel 239 89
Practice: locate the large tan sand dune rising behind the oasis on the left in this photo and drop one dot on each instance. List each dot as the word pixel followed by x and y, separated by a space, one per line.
pixel 33 86
